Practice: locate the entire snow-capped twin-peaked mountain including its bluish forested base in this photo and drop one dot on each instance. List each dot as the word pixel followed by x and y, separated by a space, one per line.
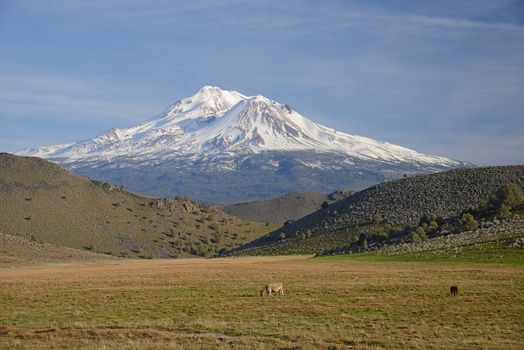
pixel 221 146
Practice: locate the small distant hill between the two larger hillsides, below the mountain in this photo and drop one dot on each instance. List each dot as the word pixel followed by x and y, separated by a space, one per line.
pixel 291 206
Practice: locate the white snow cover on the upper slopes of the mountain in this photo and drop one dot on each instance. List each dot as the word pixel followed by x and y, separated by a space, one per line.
pixel 222 122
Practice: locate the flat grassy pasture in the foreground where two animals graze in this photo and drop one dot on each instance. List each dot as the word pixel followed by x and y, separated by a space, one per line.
pixel 331 302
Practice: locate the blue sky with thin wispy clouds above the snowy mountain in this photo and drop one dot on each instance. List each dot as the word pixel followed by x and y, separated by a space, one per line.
pixel 442 77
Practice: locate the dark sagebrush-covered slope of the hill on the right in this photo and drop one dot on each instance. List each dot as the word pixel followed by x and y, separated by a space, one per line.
pixel 399 204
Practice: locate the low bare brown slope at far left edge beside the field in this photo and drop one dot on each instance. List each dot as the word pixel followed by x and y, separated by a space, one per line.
pixel 16 250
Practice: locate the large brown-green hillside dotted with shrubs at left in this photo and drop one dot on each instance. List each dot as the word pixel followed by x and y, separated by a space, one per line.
pixel 43 202
